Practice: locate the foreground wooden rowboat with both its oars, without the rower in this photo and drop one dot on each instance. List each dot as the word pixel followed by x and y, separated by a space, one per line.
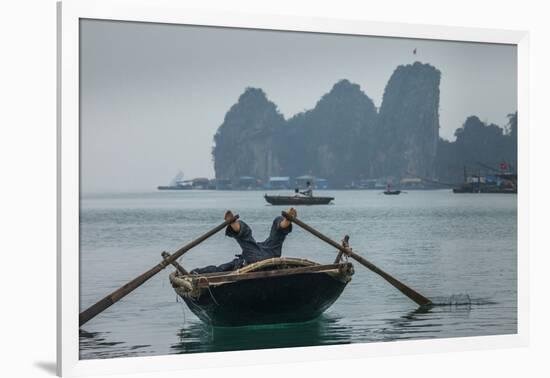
pixel 271 291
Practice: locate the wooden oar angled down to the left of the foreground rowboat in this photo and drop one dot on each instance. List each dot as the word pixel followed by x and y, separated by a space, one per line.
pixel 120 293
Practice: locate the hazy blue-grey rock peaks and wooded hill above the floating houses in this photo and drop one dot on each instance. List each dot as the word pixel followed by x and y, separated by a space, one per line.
pixel 343 138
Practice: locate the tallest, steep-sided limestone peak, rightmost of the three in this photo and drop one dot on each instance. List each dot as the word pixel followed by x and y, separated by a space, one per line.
pixel 407 131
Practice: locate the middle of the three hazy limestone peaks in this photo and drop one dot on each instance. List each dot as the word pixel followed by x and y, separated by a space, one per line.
pixel 330 141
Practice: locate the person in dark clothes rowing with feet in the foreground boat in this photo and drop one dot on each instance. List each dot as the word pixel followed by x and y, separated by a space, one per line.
pixel 252 251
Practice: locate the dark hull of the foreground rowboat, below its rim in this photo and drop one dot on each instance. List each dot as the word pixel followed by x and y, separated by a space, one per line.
pixel 286 298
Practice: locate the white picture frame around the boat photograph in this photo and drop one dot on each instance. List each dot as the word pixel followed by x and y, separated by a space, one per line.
pixel 69 14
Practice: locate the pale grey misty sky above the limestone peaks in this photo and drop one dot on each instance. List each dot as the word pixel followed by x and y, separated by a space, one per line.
pixel 153 95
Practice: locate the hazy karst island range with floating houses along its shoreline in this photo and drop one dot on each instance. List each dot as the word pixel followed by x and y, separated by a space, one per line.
pixel 345 142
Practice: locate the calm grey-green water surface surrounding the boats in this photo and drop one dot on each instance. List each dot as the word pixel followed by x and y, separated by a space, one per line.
pixel 457 249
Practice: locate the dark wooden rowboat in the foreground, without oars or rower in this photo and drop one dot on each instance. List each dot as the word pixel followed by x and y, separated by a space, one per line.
pixel 278 290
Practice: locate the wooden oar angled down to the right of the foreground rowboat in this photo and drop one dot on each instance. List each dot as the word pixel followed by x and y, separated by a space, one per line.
pixel 412 294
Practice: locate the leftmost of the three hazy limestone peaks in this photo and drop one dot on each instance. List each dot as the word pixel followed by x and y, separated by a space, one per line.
pixel 244 143
